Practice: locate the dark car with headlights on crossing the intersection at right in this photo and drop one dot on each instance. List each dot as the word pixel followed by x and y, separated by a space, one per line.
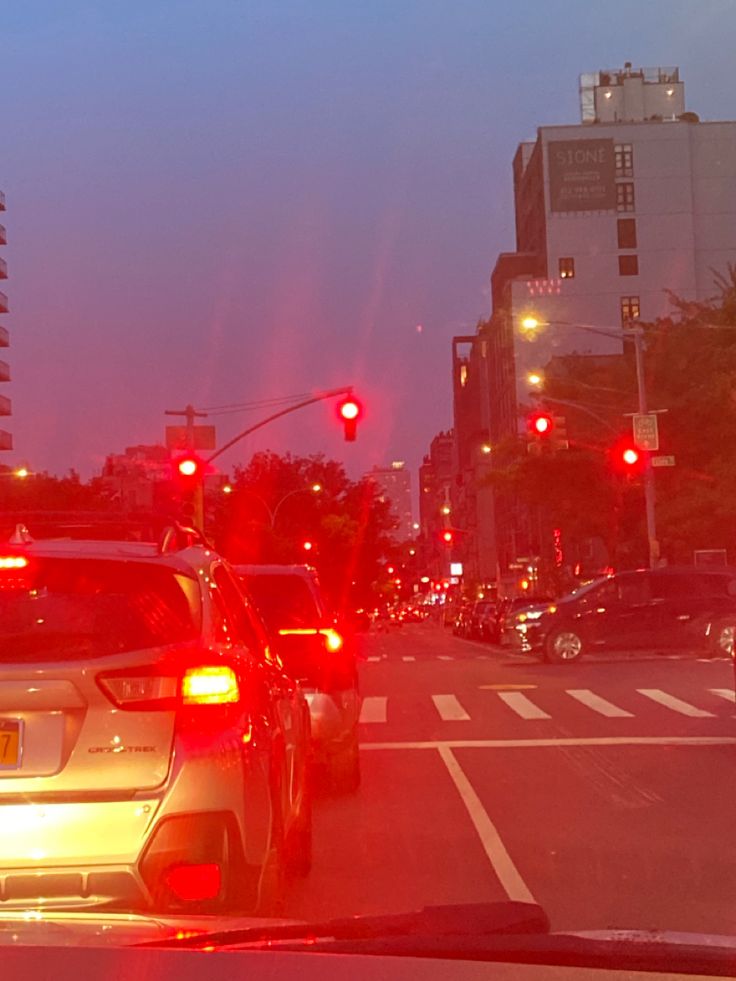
pixel 671 609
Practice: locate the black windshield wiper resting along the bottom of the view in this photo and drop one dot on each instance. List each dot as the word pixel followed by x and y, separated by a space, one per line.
pixel 465 919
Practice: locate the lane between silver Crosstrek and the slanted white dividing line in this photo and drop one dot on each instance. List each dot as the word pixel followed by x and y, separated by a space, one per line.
pixel 403 841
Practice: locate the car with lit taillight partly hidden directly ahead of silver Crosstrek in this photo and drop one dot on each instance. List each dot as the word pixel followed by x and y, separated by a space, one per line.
pixel 319 654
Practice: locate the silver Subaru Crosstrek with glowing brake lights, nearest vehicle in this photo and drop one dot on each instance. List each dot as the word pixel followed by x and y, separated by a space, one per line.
pixel 153 754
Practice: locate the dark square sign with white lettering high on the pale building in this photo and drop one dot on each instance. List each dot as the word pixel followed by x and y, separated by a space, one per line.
pixel 582 175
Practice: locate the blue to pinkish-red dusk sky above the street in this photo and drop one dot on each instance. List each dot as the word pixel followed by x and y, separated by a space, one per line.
pixel 220 202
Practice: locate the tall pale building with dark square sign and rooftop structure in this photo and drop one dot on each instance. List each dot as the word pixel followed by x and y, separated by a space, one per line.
pixel 637 200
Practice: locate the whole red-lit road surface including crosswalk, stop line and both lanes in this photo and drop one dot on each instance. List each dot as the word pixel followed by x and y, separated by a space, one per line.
pixel 604 790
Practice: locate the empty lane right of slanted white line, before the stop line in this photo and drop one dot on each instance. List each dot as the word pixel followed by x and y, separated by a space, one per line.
pixel 617 836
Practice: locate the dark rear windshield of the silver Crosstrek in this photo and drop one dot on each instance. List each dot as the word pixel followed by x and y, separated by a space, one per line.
pixel 84 608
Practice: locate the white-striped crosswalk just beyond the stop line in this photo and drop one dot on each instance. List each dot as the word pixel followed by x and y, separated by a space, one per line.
pixel 706 703
